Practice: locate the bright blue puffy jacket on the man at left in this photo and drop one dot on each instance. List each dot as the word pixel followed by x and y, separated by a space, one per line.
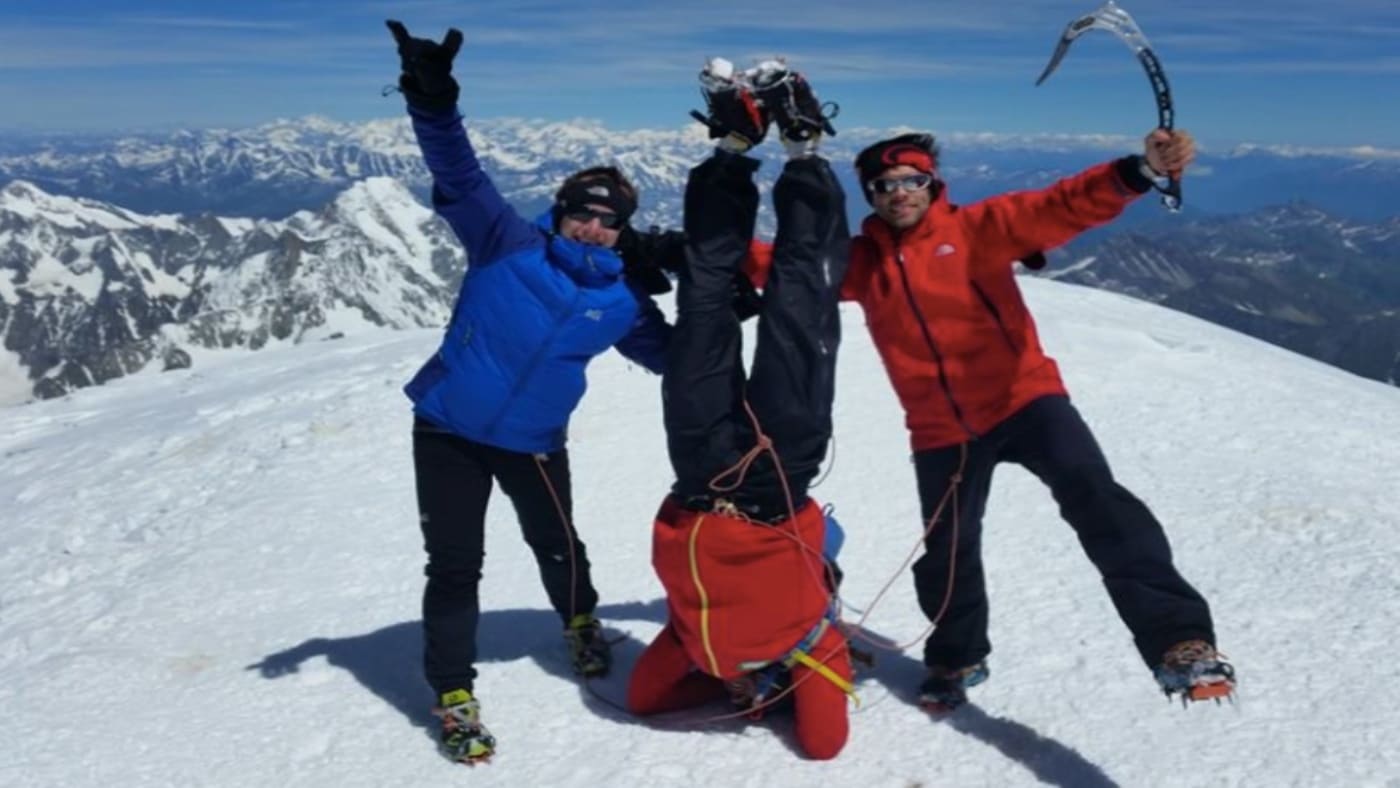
pixel 533 311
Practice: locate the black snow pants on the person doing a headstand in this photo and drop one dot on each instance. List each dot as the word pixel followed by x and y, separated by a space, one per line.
pixel 790 390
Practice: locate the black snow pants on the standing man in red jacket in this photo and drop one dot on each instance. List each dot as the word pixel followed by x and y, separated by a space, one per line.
pixel 1118 533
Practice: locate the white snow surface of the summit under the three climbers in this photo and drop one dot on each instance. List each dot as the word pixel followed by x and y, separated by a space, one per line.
pixel 212 577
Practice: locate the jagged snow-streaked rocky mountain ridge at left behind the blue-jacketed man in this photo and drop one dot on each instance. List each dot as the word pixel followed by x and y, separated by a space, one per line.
pixel 92 292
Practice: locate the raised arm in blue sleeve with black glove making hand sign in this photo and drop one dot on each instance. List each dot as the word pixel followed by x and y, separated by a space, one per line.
pixel 463 194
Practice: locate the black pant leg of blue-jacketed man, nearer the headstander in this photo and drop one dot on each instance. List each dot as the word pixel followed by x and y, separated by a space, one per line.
pixel 542 492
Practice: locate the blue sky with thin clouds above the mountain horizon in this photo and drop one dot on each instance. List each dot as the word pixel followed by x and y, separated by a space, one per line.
pixel 1284 72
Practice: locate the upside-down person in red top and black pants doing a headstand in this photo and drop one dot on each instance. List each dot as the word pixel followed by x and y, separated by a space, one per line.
pixel 738 544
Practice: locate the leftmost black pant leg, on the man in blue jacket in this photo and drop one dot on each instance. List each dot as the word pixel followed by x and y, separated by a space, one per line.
pixel 453 489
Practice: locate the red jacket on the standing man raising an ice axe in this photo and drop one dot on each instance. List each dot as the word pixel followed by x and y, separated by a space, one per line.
pixel 944 310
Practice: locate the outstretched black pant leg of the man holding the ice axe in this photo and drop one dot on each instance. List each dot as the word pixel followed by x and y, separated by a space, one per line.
pixel 1116 531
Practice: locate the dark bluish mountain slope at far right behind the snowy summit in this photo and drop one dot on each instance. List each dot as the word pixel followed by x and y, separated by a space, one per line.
pixel 1291 275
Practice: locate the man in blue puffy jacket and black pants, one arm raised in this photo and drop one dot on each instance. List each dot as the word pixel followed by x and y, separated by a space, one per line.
pixel 540 302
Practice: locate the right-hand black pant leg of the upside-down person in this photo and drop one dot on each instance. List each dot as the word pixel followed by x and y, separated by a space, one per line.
pixel 799 334
